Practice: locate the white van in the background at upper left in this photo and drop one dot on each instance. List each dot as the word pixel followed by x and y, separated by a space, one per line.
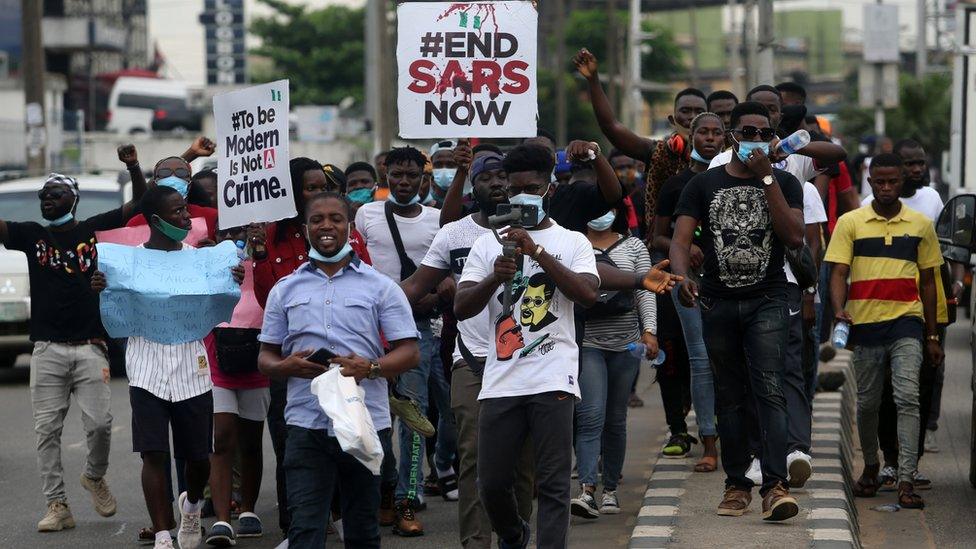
pixel 134 100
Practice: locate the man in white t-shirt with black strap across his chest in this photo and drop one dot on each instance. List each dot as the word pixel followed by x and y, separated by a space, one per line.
pixel 415 226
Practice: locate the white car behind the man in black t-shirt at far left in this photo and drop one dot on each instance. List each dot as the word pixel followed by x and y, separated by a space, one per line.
pixel 19 202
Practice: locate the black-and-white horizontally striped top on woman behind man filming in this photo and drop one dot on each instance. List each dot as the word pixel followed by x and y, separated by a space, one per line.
pixel 614 333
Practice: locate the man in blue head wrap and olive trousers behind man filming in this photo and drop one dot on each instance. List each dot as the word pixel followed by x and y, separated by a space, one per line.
pixel 445 261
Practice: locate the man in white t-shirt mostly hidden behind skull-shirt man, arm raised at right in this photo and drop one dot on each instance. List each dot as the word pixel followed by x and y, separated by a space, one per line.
pixel 797 375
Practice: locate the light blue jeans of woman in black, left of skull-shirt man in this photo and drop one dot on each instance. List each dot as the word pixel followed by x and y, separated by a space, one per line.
pixel 702 379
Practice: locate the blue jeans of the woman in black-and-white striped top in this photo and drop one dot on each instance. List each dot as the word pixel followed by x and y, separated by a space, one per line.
pixel 601 416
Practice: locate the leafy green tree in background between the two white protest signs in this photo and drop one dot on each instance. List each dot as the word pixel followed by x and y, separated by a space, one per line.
pixel 321 51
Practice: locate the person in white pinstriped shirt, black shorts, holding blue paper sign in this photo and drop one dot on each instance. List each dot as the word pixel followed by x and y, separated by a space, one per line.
pixel 175 391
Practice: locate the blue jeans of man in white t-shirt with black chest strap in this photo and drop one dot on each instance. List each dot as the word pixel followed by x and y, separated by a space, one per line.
pixel 414 385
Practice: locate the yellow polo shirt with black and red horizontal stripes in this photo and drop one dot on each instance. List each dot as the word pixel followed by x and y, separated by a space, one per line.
pixel 885 257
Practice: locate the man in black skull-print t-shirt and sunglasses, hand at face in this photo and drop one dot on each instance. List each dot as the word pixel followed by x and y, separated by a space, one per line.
pixel 748 214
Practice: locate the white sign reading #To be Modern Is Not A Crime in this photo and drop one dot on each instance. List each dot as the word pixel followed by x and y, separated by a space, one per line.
pixel 253 180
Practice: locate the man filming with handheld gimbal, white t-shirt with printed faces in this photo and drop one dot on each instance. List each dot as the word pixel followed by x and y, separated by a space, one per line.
pixel 530 384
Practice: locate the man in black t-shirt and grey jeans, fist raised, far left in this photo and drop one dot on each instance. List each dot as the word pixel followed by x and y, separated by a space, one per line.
pixel 70 355
